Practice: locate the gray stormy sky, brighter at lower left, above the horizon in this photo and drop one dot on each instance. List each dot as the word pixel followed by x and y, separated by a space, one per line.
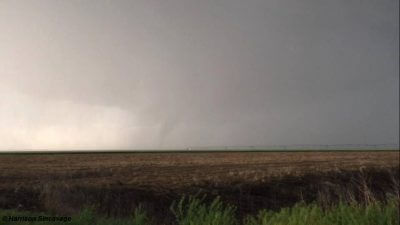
pixel 102 74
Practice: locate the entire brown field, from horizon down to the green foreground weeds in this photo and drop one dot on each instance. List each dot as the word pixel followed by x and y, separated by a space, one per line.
pixel 118 182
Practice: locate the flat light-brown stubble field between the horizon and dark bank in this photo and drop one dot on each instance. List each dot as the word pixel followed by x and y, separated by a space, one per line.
pixel 179 170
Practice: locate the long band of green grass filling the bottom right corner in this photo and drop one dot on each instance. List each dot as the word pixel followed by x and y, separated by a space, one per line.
pixel 342 214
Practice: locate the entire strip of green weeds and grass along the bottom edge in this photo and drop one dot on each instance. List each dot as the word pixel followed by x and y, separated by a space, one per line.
pixel 195 211
